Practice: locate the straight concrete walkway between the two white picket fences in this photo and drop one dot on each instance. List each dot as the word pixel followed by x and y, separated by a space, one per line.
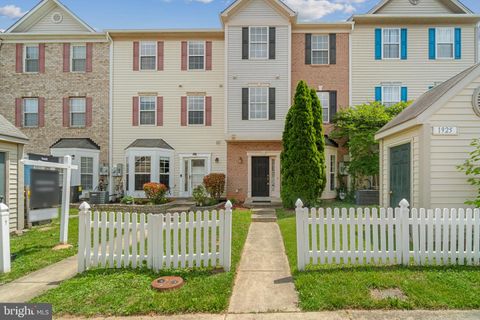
pixel 263 282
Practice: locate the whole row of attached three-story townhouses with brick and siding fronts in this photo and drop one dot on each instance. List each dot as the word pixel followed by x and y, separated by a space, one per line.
pixel 133 106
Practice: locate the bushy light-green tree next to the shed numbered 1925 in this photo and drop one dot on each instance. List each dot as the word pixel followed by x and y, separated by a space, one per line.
pixel 357 127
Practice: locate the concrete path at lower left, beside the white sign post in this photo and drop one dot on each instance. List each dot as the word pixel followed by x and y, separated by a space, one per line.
pixel 28 287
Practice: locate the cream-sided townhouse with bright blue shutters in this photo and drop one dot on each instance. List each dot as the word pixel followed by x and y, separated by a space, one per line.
pixel 400 50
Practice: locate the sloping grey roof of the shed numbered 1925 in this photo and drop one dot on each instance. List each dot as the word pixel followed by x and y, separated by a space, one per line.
pixel 431 98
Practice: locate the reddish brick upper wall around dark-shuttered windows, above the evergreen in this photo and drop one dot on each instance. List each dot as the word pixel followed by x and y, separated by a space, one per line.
pixel 329 77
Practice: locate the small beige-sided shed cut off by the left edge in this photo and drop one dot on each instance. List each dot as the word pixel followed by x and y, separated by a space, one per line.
pixel 12 142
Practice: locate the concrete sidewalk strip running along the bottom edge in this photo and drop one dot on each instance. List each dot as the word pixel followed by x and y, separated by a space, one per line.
pixel 334 315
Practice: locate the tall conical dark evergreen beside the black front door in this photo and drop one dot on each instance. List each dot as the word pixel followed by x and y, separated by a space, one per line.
pixel 301 164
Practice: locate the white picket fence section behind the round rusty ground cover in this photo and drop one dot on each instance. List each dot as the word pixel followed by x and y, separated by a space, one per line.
pixel 160 241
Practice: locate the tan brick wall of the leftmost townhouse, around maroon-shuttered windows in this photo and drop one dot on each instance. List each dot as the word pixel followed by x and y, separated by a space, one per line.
pixel 53 85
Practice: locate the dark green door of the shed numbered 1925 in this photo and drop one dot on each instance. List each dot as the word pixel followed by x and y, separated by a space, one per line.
pixel 399 174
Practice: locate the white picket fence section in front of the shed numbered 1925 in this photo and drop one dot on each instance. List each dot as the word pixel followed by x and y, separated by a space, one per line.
pixel 387 236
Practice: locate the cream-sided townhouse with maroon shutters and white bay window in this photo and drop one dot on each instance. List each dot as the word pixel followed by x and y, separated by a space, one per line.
pixel 168 108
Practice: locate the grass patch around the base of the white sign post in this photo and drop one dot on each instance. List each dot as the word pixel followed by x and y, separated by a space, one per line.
pixel 34 248
